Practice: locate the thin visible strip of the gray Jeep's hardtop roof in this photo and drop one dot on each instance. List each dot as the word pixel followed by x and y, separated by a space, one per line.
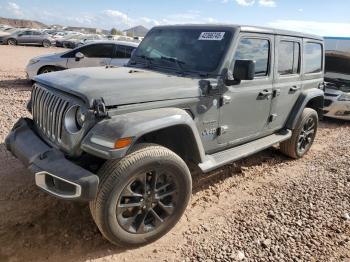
pixel 246 28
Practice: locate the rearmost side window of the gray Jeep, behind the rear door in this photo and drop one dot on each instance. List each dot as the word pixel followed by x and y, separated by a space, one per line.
pixel 312 58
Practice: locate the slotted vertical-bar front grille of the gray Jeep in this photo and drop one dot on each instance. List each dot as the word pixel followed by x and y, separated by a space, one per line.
pixel 48 111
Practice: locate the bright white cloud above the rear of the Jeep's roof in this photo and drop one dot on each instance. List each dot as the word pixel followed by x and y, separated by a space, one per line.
pixel 313 27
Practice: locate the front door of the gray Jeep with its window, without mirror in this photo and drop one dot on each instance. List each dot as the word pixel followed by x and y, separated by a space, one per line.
pixel 245 108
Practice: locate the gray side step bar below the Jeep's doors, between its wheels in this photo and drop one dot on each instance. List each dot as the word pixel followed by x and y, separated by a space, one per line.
pixel 224 157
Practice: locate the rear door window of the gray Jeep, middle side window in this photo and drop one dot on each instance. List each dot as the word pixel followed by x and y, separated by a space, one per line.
pixel 288 58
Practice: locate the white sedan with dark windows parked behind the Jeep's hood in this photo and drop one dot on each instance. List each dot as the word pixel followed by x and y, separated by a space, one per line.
pixel 107 53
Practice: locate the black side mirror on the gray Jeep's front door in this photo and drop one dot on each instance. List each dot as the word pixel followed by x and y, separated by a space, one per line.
pixel 243 70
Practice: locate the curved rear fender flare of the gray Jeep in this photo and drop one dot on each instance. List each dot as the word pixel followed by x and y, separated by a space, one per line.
pixel 305 97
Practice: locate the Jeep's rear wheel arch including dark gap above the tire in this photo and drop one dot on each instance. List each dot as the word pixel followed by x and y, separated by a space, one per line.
pixel 312 98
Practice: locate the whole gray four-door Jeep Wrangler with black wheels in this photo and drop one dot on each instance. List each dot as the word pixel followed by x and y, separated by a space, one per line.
pixel 123 138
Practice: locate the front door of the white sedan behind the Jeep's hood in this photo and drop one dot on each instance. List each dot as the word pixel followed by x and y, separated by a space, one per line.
pixel 94 55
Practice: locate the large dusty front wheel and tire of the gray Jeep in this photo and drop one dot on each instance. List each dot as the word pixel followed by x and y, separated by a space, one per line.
pixel 141 196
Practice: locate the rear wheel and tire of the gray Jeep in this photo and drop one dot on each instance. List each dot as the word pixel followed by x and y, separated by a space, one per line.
pixel 303 135
